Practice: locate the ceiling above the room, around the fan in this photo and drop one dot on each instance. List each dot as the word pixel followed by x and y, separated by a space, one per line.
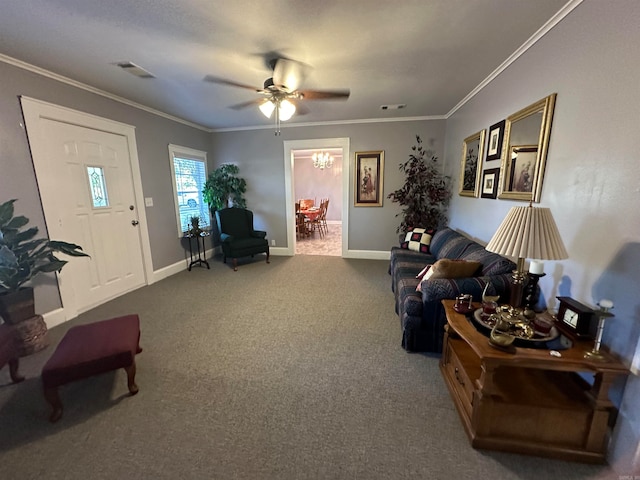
pixel 427 54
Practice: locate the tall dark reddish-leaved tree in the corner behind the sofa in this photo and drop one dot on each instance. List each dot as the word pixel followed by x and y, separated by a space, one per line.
pixel 425 193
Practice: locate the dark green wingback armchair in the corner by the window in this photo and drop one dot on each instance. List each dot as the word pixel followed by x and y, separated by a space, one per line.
pixel 237 235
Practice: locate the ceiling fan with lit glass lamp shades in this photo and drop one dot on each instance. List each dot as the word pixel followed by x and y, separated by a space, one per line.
pixel 280 92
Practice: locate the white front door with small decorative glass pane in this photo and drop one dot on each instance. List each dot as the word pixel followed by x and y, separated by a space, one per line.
pixel 76 166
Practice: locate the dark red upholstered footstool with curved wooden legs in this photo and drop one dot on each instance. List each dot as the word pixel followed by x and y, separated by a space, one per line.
pixel 91 349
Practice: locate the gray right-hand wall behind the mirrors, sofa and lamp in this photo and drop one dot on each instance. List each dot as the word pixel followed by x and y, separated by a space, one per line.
pixel 592 177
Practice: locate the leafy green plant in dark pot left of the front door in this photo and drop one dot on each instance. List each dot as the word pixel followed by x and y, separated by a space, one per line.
pixel 23 257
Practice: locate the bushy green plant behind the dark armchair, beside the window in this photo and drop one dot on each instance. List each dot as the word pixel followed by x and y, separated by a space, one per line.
pixel 224 189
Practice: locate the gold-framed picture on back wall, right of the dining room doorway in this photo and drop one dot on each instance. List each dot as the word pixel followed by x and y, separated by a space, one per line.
pixel 368 174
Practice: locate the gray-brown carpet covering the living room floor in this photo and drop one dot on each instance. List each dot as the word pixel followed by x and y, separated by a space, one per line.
pixel 291 370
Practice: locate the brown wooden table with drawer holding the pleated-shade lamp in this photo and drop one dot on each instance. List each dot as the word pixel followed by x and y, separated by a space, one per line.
pixel 528 401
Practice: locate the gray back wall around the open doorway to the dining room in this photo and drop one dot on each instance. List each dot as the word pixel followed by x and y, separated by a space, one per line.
pixel 260 156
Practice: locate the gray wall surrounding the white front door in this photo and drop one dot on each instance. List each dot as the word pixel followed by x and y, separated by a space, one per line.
pixel 153 135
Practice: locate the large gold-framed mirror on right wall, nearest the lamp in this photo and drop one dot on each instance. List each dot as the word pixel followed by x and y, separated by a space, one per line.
pixel 526 139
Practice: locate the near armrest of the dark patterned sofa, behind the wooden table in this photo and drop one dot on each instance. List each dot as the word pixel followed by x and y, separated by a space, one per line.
pixel 434 290
